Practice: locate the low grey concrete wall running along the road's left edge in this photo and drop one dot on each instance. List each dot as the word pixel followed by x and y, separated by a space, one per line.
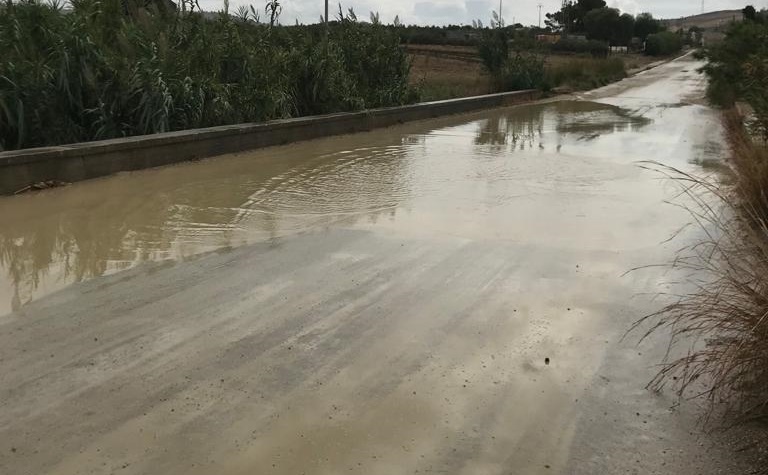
pixel 82 161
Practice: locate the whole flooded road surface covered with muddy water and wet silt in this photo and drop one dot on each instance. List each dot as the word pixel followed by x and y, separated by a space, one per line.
pixel 442 297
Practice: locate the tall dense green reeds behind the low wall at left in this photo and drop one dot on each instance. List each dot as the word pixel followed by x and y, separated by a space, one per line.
pixel 97 72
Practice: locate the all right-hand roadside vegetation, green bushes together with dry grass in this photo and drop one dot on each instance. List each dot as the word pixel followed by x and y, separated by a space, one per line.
pixel 721 326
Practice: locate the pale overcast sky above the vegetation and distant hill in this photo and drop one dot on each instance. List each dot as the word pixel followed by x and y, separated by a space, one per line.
pixel 440 12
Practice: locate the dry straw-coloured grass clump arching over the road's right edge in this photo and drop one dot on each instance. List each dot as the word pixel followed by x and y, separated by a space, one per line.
pixel 723 320
